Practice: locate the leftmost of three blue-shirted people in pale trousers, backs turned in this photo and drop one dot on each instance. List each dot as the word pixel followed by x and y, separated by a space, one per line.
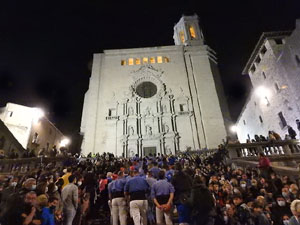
pixel 117 200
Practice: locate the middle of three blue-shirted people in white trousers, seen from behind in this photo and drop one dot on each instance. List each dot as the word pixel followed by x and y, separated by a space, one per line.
pixel 136 189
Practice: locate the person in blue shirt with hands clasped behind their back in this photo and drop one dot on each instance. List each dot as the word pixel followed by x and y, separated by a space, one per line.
pixel 162 193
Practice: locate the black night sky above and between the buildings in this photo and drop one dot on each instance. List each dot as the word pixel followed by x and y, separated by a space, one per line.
pixel 46 46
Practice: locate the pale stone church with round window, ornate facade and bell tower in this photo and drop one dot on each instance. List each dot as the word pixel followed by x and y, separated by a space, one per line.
pixel 156 100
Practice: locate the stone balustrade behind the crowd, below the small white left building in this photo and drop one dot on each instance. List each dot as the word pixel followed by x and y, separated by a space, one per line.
pixel 24 165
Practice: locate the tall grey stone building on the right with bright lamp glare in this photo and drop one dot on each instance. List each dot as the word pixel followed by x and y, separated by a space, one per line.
pixel 274 70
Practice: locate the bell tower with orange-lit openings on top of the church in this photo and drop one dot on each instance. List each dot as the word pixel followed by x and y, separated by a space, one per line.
pixel 187 31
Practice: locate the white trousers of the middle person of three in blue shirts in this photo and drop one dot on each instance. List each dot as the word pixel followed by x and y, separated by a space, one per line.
pixel 138 211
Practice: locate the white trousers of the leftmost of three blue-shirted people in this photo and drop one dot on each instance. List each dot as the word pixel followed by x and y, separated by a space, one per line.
pixel 119 211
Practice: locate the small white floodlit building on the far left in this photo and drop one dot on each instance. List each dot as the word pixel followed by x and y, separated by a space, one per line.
pixel 30 127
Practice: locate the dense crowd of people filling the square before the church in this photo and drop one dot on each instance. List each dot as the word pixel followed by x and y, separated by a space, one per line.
pixel 184 189
